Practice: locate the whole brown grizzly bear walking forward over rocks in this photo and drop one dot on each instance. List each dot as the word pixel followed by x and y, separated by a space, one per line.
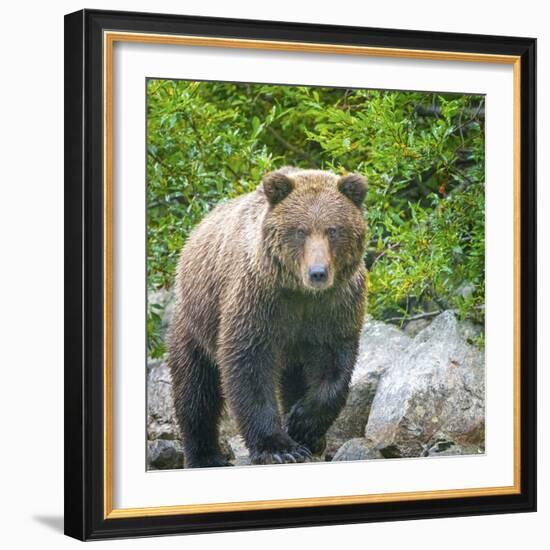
pixel 270 296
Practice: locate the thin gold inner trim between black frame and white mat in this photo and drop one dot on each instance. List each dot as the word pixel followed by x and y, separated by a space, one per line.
pixel 109 39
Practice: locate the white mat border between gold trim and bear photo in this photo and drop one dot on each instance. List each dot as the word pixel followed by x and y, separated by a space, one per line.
pixel 133 487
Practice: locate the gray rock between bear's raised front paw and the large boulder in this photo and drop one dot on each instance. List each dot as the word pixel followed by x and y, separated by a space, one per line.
pixel 380 347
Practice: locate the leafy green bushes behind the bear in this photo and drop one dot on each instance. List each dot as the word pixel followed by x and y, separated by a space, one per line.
pixel 422 153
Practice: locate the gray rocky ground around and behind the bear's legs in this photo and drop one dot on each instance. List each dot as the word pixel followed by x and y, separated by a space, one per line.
pixel 416 392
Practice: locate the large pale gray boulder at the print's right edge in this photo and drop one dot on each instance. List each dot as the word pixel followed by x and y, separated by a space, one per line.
pixel 435 391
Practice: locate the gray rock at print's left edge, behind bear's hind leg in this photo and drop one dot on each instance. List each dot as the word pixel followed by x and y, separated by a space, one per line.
pixel 160 405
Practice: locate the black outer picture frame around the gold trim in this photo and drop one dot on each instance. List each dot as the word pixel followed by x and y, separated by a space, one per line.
pixel 84 282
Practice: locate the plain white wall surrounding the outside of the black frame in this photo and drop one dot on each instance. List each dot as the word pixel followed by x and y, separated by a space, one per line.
pixel 31 227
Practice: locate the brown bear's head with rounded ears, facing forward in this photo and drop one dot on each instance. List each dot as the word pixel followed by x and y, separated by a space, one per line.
pixel 314 228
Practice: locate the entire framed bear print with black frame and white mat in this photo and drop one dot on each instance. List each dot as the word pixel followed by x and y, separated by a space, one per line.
pixel 300 274
